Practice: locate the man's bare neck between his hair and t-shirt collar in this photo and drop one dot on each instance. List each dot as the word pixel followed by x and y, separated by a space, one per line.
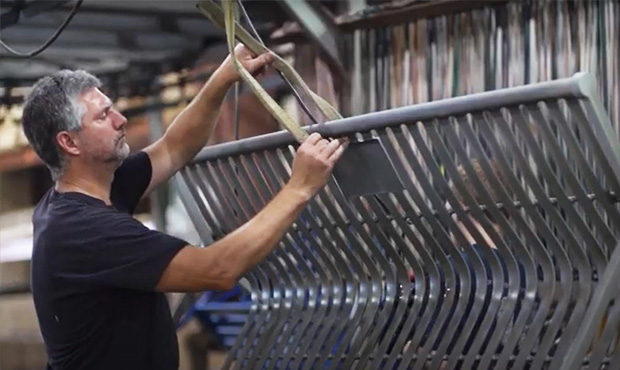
pixel 95 183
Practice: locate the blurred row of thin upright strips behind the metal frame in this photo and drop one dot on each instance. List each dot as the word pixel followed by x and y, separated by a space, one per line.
pixel 504 45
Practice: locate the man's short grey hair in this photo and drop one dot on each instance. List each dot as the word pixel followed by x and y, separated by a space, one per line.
pixel 52 107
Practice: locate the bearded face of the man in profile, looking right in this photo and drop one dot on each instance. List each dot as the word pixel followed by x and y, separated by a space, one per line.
pixel 102 136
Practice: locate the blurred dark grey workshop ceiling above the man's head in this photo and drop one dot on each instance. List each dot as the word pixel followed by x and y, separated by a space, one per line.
pixel 131 39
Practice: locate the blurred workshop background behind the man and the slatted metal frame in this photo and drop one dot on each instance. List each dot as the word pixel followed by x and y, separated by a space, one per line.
pixel 360 55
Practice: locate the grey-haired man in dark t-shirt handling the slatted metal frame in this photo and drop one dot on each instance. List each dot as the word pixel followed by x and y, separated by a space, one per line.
pixel 98 275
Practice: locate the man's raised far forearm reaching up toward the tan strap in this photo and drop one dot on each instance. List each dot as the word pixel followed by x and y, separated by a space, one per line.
pixel 191 129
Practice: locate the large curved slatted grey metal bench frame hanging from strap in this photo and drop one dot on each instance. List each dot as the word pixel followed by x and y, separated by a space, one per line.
pixel 484 251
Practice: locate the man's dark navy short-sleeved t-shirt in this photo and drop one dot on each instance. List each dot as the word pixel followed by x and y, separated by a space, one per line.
pixel 94 272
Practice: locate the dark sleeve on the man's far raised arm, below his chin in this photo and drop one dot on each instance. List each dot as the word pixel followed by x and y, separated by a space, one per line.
pixel 131 179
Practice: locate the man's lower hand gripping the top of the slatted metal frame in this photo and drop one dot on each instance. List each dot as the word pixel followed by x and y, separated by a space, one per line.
pixel 314 163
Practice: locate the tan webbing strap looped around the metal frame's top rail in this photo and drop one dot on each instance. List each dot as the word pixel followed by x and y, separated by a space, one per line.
pixel 225 19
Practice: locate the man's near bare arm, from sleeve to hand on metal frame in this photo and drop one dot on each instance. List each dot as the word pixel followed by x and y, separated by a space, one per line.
pixel 221 264
